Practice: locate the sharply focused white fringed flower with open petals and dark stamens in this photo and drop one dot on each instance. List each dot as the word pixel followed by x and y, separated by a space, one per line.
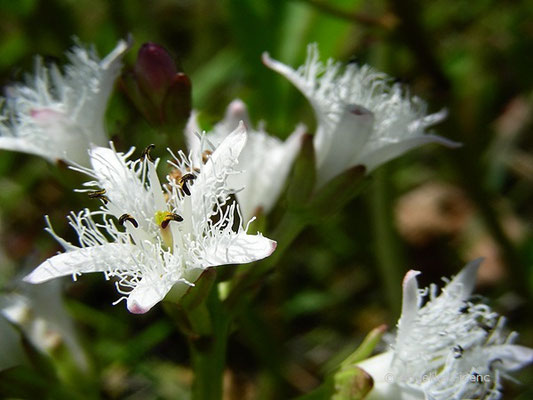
pixel 167 238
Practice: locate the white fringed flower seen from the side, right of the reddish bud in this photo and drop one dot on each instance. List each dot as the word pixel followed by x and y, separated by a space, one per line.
pixel 361 118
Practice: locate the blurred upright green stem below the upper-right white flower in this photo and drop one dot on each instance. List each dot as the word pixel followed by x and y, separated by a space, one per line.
pixel 387 253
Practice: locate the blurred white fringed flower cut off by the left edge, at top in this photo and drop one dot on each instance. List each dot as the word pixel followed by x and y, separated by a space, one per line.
pixel 59 115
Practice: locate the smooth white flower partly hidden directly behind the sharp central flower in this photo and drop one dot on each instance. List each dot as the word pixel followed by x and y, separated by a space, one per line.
pixel 265 161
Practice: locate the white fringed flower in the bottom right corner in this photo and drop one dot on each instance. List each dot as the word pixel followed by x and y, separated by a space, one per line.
pixel 449 348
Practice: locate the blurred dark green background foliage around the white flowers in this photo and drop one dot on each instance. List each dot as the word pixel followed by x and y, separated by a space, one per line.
pixel 432 210
